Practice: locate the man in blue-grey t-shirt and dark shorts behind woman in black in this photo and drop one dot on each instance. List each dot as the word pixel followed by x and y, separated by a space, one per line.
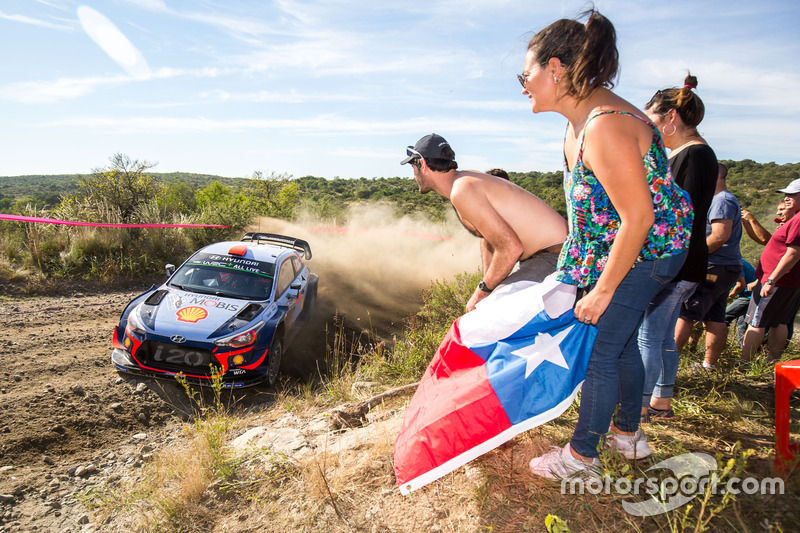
pixel 707 304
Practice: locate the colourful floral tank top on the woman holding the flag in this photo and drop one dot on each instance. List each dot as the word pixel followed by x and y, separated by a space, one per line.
pixel 593 221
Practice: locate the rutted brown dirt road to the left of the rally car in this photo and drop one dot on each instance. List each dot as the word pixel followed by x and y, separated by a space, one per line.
pixel 64 407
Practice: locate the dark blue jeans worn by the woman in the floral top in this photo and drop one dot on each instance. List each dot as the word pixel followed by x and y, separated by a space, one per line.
pixel 615 375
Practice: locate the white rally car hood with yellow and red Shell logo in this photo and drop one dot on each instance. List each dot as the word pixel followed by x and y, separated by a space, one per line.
pixel 195 316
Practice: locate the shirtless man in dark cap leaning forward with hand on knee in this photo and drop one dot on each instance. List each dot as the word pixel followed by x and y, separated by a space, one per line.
pixel 517 227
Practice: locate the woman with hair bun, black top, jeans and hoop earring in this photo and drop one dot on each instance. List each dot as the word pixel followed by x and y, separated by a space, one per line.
pixel 677 112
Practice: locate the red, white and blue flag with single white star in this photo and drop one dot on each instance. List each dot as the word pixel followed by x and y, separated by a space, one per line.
pixel 517 361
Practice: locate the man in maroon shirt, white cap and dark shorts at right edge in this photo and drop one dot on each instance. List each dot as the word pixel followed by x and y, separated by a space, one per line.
pixel 776 296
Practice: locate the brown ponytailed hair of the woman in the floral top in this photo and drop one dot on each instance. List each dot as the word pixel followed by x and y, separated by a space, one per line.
pixel 587 51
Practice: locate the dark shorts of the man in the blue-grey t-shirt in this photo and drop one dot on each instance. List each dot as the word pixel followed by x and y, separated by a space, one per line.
pixel 708 302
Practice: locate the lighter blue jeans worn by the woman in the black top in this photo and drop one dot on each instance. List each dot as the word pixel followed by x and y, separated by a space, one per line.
pixel 657 340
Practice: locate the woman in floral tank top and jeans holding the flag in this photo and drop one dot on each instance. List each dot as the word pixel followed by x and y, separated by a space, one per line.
pixel 629 227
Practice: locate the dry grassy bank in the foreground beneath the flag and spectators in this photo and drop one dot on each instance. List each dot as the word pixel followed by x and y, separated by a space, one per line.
pixel 341 488
